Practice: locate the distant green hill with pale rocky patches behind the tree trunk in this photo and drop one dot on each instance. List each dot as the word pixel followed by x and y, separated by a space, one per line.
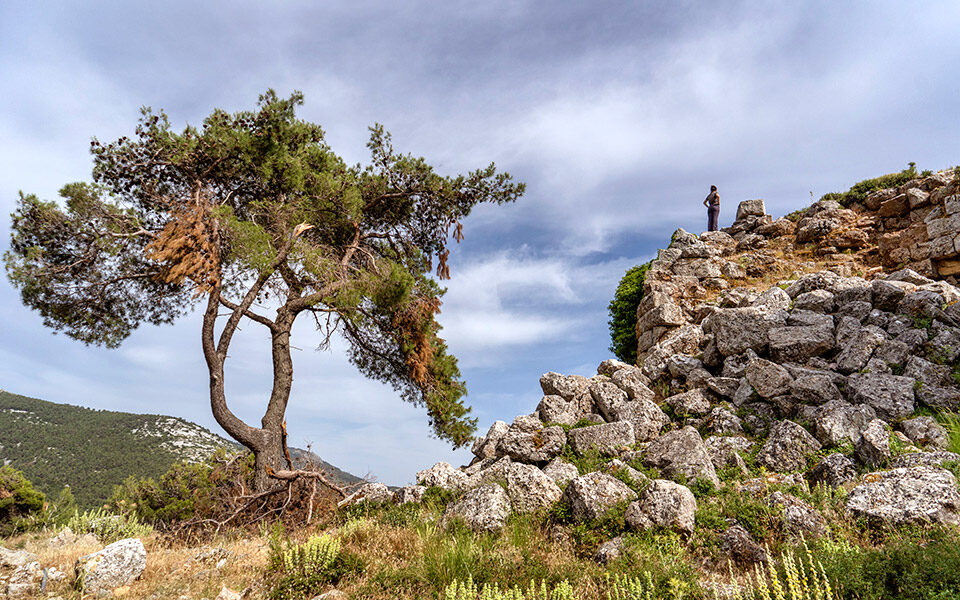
pixel 91 450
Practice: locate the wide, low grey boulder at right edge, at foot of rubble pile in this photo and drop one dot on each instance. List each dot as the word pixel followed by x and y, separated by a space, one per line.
pixel 908 495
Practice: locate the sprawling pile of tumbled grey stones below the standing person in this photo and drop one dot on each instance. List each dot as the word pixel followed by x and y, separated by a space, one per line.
pixel 818 378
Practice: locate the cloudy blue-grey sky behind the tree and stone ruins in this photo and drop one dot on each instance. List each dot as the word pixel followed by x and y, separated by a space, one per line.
pixel 617 115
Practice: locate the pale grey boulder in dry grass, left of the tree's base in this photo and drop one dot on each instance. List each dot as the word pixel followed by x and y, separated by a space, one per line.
pixel 119 564
